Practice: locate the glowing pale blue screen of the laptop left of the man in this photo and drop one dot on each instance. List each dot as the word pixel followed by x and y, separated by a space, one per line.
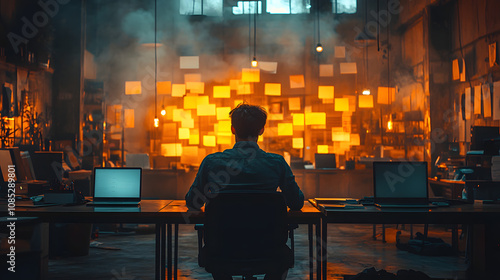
pixel 116 183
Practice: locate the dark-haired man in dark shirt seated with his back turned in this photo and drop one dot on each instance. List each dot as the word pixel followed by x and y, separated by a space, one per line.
pixel 245 168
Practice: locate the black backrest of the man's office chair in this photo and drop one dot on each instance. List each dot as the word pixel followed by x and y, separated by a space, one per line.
pixel 245 226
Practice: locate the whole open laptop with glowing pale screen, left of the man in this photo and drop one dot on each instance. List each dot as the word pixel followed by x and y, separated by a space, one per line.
pixel 117 187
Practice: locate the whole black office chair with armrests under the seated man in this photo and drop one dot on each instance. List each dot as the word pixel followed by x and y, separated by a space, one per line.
pixel 245 234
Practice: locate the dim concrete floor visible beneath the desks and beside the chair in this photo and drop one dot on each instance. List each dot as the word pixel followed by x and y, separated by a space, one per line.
pixel 351 249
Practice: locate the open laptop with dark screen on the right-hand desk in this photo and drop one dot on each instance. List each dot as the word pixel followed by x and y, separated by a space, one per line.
pixel 400 184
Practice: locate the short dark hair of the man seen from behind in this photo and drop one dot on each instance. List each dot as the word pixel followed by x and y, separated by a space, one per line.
pixel 248 120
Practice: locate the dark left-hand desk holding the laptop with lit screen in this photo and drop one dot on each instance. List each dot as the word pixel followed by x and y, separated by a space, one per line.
pixel 148 213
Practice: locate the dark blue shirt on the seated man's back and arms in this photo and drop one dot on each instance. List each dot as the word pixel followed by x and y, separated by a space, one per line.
pixel 244 168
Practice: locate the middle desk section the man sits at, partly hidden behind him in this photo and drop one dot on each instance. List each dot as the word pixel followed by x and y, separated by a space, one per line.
pixel 177 213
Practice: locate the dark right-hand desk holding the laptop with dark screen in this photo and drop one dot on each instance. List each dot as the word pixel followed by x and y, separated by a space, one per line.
pixel 468 214
